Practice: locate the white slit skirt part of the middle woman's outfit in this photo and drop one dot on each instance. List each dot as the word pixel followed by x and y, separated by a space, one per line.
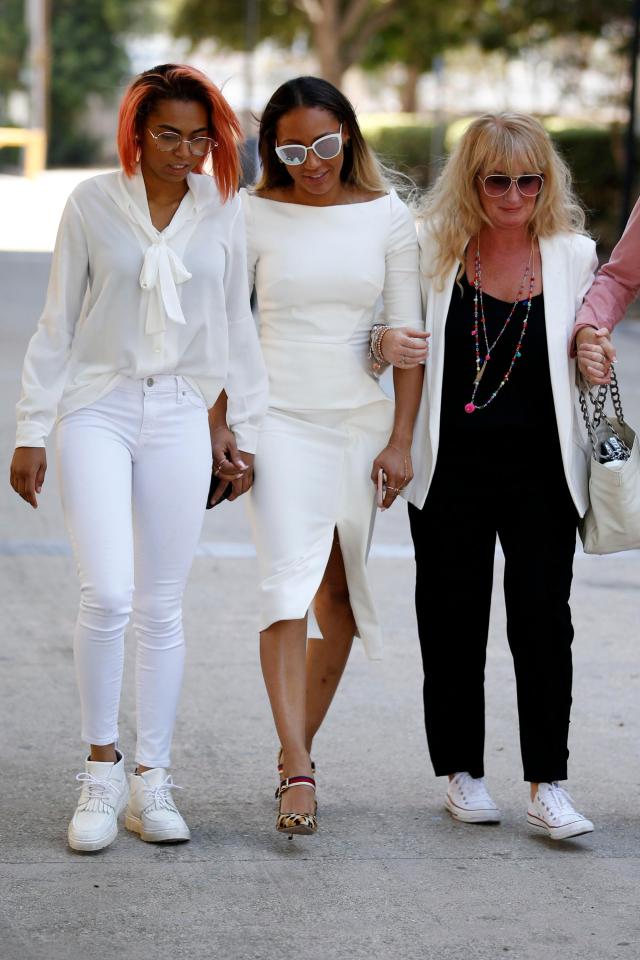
pixel 316 466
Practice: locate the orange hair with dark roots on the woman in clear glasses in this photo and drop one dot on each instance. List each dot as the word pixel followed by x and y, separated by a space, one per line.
pixel 172 81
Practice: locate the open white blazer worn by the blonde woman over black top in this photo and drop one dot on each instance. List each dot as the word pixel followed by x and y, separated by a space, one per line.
pixel 568 265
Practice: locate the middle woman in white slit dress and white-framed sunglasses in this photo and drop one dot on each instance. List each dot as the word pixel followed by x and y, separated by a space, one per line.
pixel 326 240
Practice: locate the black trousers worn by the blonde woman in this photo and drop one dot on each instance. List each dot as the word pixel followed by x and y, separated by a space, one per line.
pixel 528 506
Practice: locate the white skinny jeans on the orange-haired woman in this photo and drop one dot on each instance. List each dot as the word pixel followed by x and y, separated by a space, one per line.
pixel 134 470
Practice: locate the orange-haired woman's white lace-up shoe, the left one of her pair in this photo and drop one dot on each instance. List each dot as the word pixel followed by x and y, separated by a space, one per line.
pixel 103 796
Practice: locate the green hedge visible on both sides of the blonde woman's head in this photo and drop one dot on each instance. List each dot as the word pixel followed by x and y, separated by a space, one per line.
pixel 595 155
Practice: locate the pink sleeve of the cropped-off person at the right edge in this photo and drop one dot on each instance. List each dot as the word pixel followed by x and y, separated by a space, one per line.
pixel 617 282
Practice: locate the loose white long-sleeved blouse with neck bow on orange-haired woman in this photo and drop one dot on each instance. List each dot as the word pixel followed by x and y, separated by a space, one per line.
pixel 127 300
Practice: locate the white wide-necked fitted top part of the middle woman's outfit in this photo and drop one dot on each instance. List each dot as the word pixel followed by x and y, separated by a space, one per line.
pixel 322 275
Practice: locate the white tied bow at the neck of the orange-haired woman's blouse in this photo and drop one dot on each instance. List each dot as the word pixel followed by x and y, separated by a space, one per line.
pixel 162 269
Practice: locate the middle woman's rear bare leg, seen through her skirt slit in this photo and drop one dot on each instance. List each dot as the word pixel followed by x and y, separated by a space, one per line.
pixel 327 658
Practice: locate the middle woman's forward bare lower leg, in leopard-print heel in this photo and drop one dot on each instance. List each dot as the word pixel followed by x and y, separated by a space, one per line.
pixel 283 655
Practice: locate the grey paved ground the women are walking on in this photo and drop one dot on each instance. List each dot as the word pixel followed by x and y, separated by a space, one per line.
pixel 389 875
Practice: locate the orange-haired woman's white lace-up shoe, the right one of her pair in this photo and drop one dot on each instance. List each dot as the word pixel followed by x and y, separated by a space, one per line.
pixel 151 811
